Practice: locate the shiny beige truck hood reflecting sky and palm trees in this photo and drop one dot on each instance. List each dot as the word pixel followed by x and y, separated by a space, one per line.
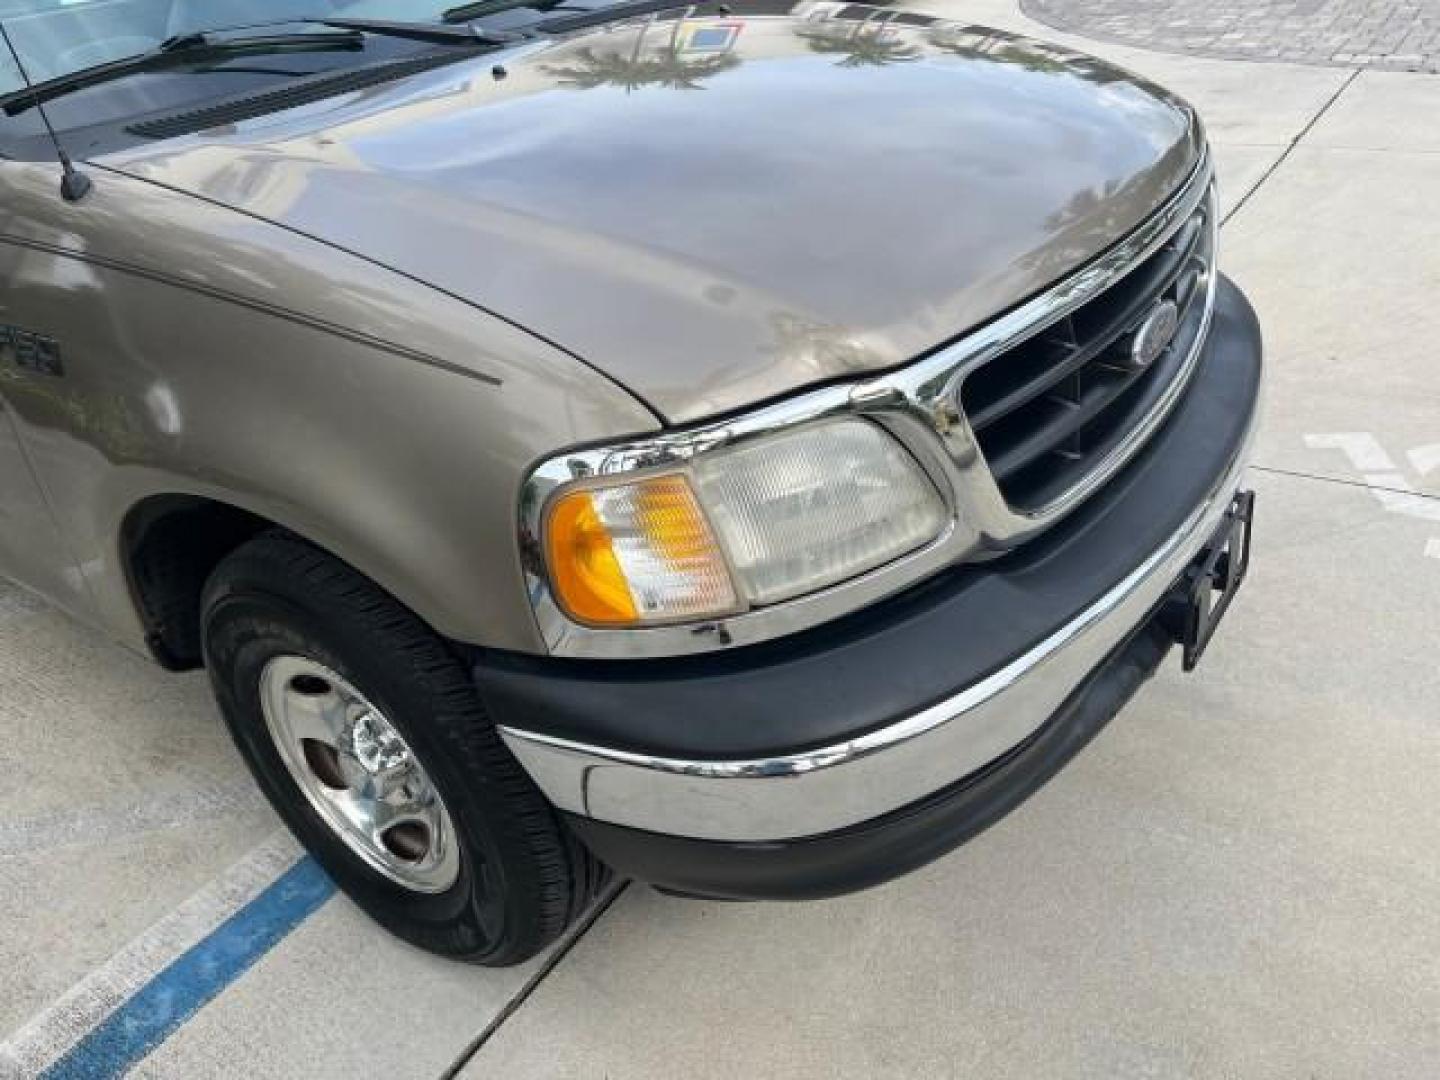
pixel 721 211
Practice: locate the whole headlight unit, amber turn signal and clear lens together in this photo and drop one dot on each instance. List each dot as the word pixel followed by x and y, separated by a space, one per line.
pixel 764 522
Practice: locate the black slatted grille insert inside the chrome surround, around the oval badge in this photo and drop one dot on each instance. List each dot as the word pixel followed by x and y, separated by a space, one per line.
pixel 1050 411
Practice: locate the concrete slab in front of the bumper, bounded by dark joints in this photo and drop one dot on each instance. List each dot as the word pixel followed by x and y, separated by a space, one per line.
pixel 1238 879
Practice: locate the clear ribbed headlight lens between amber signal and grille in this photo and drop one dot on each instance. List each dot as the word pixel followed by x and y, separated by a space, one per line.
pixel 816 506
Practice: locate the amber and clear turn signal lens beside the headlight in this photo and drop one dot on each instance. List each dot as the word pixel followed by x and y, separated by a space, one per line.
pixel 636 554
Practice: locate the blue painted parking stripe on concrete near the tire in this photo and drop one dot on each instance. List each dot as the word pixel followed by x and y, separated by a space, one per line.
pixel 176 994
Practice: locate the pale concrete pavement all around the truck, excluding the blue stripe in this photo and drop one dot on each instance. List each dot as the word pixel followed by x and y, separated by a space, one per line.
pixel 1238 879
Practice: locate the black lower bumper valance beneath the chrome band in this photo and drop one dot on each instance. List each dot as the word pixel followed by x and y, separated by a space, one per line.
pixel 898 843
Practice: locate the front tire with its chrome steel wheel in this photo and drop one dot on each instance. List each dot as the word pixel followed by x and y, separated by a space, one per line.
pixel 368 738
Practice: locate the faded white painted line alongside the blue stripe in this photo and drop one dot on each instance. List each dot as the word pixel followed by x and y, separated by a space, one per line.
pixel 45 1039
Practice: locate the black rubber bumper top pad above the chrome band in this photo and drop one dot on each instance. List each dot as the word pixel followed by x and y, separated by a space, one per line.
pixel 921 647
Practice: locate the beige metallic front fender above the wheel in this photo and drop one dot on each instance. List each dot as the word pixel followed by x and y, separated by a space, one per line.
pixel 230 359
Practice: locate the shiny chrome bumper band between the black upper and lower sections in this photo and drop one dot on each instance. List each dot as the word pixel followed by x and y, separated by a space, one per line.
pixel 845 784
